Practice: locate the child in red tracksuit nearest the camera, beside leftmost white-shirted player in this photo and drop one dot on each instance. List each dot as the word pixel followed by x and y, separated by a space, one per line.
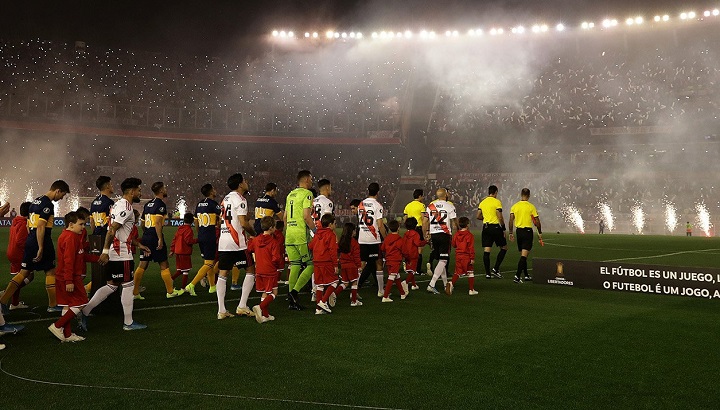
pixel 68 277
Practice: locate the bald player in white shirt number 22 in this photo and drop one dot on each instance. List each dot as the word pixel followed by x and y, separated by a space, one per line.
pixel 439 223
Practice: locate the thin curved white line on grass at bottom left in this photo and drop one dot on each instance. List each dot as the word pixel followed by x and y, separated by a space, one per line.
pixel 224 396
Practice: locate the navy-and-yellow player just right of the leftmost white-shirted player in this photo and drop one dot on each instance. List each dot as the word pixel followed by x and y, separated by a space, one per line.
pixel 153 216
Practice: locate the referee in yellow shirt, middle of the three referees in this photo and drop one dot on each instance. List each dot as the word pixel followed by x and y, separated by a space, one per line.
pixel 490 212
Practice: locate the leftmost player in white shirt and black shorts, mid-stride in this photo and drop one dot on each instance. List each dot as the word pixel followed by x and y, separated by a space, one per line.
pixel 118 256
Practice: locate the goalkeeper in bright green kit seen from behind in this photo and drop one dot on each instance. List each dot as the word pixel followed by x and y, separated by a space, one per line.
pixel 298 226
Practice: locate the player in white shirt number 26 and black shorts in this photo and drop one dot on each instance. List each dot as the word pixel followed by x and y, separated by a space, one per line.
pixel 371 216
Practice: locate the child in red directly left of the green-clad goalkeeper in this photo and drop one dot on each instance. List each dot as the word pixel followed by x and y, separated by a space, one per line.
pixel 268 259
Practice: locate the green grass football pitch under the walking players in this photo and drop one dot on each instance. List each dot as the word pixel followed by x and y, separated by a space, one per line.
pixel 512 346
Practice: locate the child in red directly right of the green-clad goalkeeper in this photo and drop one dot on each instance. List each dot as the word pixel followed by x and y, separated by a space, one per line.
pixel 324 250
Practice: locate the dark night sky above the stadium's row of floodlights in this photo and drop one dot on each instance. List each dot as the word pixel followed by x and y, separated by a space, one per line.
pixel 206 27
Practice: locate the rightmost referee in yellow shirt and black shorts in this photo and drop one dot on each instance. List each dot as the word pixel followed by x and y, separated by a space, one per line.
pixel 524 215
